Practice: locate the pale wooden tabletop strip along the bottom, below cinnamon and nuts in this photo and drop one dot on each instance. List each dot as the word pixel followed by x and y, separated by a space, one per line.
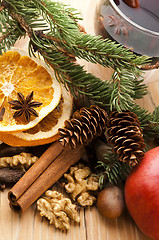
pixel 93 226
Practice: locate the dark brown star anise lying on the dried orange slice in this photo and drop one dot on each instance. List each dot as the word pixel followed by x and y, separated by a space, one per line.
pixel 25 106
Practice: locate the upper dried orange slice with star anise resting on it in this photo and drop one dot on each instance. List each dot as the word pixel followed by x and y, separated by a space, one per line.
pixel 21 74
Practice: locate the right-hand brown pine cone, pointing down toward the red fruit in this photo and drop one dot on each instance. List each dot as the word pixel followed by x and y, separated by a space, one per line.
pixel 125 133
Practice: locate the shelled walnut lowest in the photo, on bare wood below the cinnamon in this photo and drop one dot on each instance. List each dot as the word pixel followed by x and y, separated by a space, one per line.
pixel 57 209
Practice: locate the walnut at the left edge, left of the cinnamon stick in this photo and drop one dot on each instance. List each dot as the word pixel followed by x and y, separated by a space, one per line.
pixel 23 159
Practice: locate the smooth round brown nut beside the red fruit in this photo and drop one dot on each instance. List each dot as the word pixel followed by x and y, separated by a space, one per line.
pixel 110 202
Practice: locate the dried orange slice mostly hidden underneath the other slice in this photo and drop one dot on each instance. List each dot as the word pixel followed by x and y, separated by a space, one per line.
pixel 46 131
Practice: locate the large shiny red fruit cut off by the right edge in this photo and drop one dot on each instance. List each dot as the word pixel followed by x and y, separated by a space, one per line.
pixel 142 194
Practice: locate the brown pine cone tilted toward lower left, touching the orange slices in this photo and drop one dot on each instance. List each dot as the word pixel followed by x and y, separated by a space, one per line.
pixel 86 124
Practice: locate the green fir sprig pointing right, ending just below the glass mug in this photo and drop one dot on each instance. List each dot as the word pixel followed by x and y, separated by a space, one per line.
pixel 105 52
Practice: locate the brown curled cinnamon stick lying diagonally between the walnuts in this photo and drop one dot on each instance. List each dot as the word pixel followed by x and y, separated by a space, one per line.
pixel 21 199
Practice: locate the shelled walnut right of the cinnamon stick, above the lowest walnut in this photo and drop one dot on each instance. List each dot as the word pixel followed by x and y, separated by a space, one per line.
pixel 80 182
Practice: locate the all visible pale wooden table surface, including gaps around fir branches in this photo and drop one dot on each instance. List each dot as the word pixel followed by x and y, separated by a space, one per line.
pixel 30 226
